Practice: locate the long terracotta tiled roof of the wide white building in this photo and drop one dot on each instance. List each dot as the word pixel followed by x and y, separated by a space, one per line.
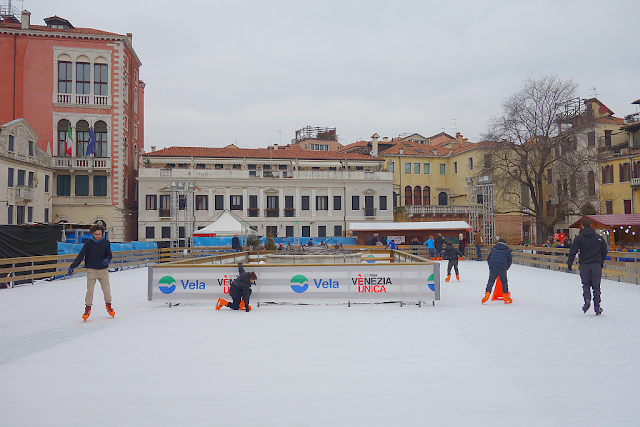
pixel 256 153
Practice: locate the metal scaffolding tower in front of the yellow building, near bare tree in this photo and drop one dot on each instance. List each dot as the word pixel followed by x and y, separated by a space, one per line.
pixel 482 209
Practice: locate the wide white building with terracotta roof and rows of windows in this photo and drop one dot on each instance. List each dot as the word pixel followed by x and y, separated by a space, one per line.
pixel 281 192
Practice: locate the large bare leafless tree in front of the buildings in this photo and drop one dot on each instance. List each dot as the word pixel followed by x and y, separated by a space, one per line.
pixel 526 144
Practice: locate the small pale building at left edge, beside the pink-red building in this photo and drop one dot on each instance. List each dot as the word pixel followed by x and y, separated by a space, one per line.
pixel 26 176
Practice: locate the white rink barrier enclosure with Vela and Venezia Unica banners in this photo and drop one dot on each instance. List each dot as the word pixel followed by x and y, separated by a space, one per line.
pixel 407 279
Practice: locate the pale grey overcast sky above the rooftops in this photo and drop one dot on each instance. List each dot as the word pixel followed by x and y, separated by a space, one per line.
pixel 253 72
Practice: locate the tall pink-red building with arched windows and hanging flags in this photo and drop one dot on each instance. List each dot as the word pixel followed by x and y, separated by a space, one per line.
pixel 85 83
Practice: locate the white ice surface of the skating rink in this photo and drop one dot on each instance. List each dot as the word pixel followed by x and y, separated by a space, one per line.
pixel 537 362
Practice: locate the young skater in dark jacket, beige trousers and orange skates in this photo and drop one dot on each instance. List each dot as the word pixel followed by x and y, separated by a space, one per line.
pixel 96 253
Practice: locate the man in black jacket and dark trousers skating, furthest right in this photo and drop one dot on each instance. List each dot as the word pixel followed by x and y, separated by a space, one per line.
pixel 593 253
